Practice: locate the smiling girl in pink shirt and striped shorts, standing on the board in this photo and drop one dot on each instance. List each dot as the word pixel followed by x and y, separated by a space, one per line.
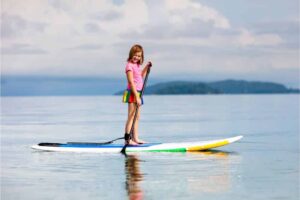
pixel 132 95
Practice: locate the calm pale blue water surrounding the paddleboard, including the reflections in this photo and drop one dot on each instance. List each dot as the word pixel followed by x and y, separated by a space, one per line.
pixel 264 165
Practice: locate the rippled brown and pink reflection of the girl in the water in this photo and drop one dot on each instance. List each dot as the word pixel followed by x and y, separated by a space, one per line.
pixel 133 177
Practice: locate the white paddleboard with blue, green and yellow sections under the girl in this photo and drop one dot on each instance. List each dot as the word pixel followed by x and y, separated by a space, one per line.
pixel 149 147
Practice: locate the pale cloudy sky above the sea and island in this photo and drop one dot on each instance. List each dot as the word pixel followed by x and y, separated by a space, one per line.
pixel 203 40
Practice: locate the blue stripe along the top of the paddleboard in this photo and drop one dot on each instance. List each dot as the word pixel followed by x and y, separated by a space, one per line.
pixel 105 146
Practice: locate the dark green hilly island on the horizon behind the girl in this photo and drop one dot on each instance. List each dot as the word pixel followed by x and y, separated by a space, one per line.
pixel 218 87
